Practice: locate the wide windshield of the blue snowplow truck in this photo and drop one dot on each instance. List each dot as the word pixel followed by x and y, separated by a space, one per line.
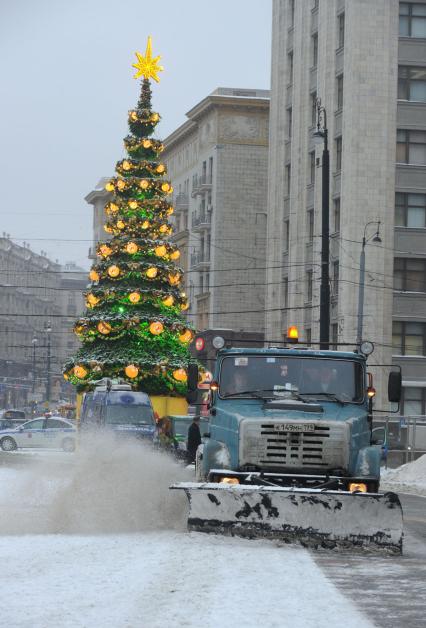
pixel 279 375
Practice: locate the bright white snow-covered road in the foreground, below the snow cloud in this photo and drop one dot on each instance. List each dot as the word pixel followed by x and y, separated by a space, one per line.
pixel 162 580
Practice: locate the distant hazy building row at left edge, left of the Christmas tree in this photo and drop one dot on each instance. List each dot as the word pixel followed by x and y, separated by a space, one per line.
pixel 35 299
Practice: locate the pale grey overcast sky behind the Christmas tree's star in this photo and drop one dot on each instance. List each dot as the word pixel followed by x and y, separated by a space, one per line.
pixel 66 86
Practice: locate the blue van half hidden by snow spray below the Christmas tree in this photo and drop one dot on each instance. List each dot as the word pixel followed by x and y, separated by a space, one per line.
pixel 119 409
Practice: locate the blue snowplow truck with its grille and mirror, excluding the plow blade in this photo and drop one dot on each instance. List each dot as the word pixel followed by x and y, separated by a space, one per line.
pixel 299 417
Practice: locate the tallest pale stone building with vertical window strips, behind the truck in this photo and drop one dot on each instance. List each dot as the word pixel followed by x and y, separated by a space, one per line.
pixel 366 61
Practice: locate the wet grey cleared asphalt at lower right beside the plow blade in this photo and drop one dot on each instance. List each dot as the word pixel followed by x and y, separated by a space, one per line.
pixel 390 590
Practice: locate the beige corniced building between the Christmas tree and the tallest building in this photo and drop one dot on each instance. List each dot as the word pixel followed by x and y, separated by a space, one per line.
pixel 217 161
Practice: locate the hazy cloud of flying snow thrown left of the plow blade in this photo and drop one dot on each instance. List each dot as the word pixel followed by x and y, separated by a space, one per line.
pixel 105 487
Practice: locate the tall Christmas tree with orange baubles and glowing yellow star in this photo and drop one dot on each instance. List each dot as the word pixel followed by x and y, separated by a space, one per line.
pixel 133 328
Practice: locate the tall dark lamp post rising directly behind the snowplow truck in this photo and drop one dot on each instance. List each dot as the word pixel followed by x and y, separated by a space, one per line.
pixel 321 137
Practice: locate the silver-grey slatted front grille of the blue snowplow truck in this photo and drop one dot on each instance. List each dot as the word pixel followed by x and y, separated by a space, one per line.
pixel 267 445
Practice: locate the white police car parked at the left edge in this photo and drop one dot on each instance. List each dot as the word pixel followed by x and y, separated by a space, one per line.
pixel 43 432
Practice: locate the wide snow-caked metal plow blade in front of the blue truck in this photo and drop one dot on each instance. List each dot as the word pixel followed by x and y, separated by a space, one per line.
pixel 312 517
